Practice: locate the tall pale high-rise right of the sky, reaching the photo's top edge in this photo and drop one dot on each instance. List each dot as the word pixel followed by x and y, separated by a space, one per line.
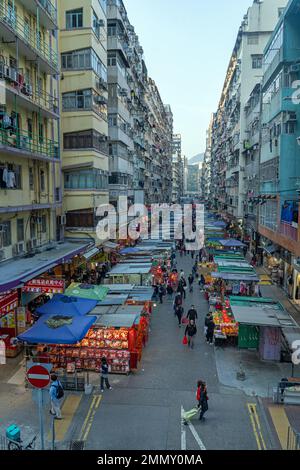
pixel 229 128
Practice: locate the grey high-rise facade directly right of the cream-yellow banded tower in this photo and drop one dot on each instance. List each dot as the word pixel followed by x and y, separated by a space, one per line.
pixel 140 126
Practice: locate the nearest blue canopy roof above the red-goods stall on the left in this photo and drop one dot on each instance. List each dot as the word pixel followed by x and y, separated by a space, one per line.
pixel 72 333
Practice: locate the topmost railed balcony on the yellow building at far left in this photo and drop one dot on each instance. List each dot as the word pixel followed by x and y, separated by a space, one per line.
pixel 30 44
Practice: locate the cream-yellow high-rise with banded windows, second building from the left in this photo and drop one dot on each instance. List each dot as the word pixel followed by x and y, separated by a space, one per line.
pixel 84 120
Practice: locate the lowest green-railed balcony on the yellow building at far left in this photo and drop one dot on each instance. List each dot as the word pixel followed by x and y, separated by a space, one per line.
pixel 19 142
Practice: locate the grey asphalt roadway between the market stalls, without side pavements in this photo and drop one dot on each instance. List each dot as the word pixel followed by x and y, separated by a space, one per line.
pixel 143 411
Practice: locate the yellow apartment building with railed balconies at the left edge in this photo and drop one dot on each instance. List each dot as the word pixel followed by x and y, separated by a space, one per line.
pixel 30 183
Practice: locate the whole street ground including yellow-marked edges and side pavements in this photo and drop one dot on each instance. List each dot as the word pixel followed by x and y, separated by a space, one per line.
pixel 143 411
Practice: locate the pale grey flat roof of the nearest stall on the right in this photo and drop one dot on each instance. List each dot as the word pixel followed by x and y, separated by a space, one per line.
pixel 262 315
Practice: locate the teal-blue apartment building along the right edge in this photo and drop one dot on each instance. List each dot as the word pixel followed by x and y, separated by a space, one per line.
pixel 280 151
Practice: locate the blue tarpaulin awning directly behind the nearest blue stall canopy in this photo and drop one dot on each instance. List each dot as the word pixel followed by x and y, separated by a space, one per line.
pixel 67 305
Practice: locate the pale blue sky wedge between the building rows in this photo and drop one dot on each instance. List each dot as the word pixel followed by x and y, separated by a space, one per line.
pixel 187 46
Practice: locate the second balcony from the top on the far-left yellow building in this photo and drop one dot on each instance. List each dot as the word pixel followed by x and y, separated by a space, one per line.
pixel 29 97
